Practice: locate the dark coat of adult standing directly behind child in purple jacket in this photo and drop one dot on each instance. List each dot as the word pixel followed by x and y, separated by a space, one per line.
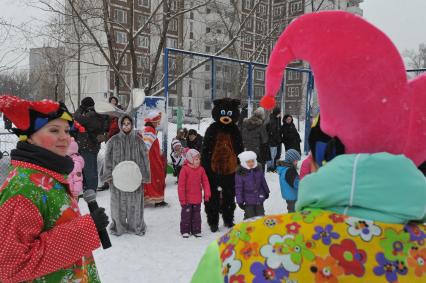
pixel 254 134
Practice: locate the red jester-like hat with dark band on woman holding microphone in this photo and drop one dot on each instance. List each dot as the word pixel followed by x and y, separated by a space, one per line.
pixel 30 116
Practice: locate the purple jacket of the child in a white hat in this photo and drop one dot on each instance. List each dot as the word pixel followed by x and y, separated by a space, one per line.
pixel 250 186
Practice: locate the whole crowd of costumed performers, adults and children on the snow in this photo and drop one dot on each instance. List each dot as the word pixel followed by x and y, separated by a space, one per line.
pixel 349 220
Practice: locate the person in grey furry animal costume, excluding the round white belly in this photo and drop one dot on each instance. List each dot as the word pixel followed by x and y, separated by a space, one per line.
pixel 127 207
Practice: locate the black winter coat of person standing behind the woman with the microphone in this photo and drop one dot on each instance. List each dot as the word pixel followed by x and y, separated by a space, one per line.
pixel 94 124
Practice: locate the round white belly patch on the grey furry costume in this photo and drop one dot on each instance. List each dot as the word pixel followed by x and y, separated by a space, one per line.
pixel 127 176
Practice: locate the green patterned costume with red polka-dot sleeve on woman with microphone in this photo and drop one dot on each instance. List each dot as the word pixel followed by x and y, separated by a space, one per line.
pixel 44 237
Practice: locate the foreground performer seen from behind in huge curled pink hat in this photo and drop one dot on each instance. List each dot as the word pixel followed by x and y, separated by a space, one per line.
pixel 360 217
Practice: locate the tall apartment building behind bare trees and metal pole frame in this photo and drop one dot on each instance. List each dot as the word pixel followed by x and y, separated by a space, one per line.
pixel 206 29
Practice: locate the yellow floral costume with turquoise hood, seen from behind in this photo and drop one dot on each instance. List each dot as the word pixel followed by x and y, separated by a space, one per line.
pixel 352 226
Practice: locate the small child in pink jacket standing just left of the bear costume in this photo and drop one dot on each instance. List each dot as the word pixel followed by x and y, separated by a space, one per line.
pixel 192 180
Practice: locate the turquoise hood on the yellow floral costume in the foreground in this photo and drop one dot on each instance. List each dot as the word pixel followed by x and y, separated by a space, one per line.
pixel 379 187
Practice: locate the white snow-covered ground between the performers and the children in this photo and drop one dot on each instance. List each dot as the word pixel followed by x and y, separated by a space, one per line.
pixel 162 255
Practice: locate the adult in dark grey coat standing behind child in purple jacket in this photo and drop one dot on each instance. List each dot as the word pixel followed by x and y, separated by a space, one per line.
pixel 255 136
